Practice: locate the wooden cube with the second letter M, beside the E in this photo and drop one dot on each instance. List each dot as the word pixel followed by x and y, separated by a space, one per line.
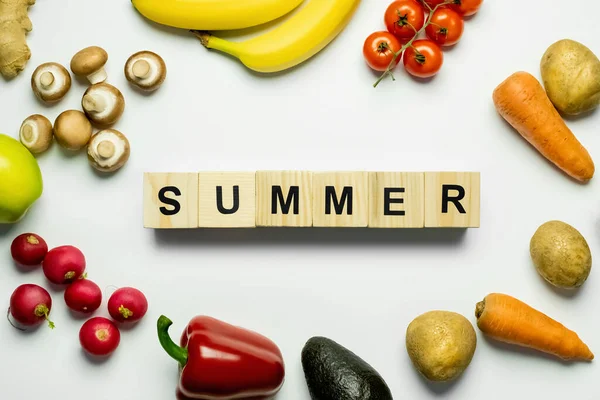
pixel 340 199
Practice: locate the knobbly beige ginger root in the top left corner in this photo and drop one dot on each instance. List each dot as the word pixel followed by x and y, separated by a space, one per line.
pixel 14 26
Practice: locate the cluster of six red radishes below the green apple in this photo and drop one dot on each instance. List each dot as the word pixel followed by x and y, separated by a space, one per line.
pixel 65 266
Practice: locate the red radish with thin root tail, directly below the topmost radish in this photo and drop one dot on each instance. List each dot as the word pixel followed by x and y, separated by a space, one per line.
pixel 30 305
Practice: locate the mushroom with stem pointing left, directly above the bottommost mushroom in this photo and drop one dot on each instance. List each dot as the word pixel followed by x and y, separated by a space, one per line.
pixel 103 104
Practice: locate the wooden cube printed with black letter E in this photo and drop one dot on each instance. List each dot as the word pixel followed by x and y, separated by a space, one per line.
pixel 397 200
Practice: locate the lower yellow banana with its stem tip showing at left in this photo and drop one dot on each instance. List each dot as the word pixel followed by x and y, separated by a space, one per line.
pixel 296 40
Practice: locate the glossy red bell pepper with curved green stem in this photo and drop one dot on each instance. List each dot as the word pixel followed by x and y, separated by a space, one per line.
pixel 219 361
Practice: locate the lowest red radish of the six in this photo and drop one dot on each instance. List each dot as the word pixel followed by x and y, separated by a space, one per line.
pixel 99 336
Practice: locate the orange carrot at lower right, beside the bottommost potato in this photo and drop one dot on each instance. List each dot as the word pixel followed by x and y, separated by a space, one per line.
pixel 509 320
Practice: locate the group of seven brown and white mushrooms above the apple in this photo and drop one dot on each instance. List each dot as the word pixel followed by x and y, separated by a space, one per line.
pixel 102 103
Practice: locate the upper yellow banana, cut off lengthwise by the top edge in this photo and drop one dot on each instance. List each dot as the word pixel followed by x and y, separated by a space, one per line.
pixel 214 14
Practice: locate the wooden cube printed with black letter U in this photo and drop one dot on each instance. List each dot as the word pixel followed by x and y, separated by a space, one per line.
pixel 226 199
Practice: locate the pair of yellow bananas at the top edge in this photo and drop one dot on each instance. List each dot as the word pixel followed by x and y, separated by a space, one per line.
pixel 294 41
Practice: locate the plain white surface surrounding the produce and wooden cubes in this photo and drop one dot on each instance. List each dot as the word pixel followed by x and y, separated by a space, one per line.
pixel 359 287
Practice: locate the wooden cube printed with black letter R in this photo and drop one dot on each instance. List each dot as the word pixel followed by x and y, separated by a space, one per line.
pixel 452 199
